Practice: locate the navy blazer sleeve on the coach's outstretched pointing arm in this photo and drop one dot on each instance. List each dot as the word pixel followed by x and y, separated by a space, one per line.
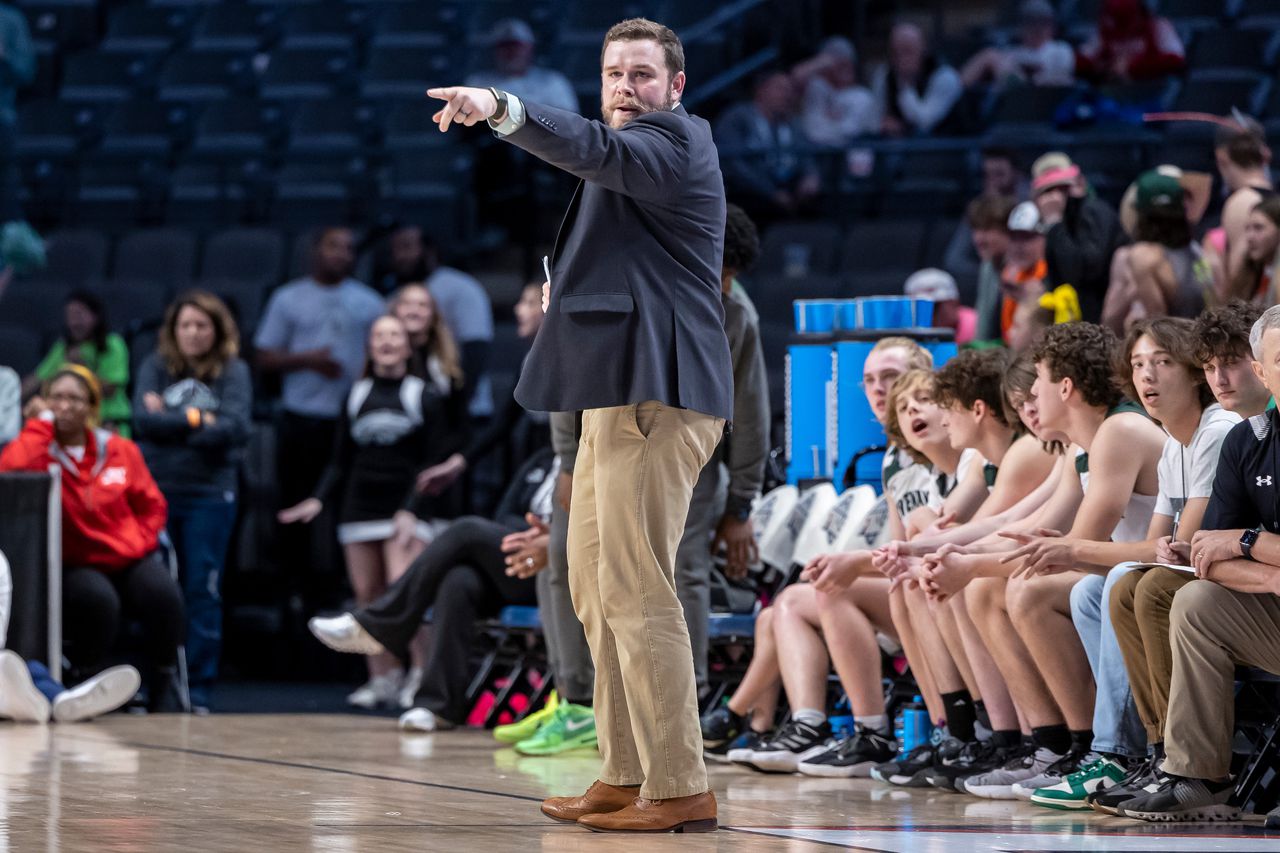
pixel 647 159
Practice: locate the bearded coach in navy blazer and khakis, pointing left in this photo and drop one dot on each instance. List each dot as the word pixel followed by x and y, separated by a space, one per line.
pixel 636 340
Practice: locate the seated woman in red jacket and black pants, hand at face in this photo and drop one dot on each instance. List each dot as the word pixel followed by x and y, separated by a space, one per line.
pixel 113 514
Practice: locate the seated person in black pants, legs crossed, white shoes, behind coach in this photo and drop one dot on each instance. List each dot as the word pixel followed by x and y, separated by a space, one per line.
pixel 464 576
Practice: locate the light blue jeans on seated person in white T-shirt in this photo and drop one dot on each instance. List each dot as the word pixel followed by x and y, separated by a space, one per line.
pixel 1117 726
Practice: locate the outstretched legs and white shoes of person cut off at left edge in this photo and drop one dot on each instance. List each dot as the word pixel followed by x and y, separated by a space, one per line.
pixel 29 694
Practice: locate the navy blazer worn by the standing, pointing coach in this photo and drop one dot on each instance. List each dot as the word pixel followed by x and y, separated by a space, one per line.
pixel 636 311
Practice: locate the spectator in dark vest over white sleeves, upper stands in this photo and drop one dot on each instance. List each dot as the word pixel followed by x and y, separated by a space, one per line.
pixel 916 90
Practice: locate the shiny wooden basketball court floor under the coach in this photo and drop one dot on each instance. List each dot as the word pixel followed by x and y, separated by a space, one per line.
pixel 337 784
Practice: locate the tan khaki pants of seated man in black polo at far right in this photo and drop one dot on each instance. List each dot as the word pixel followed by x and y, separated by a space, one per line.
pixel 1213 630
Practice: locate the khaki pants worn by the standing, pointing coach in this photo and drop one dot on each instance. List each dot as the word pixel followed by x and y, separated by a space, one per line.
pixel 636 473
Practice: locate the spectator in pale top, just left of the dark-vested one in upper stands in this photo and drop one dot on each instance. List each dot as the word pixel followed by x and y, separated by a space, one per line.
pixel 835 110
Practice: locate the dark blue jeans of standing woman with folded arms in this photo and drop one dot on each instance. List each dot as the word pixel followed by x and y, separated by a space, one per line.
pixel 202 530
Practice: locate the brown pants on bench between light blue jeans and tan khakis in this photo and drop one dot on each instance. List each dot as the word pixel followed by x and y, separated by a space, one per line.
pixel 1141 603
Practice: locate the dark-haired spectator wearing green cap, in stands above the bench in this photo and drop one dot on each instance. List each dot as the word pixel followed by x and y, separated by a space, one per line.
pixel 1164 272
